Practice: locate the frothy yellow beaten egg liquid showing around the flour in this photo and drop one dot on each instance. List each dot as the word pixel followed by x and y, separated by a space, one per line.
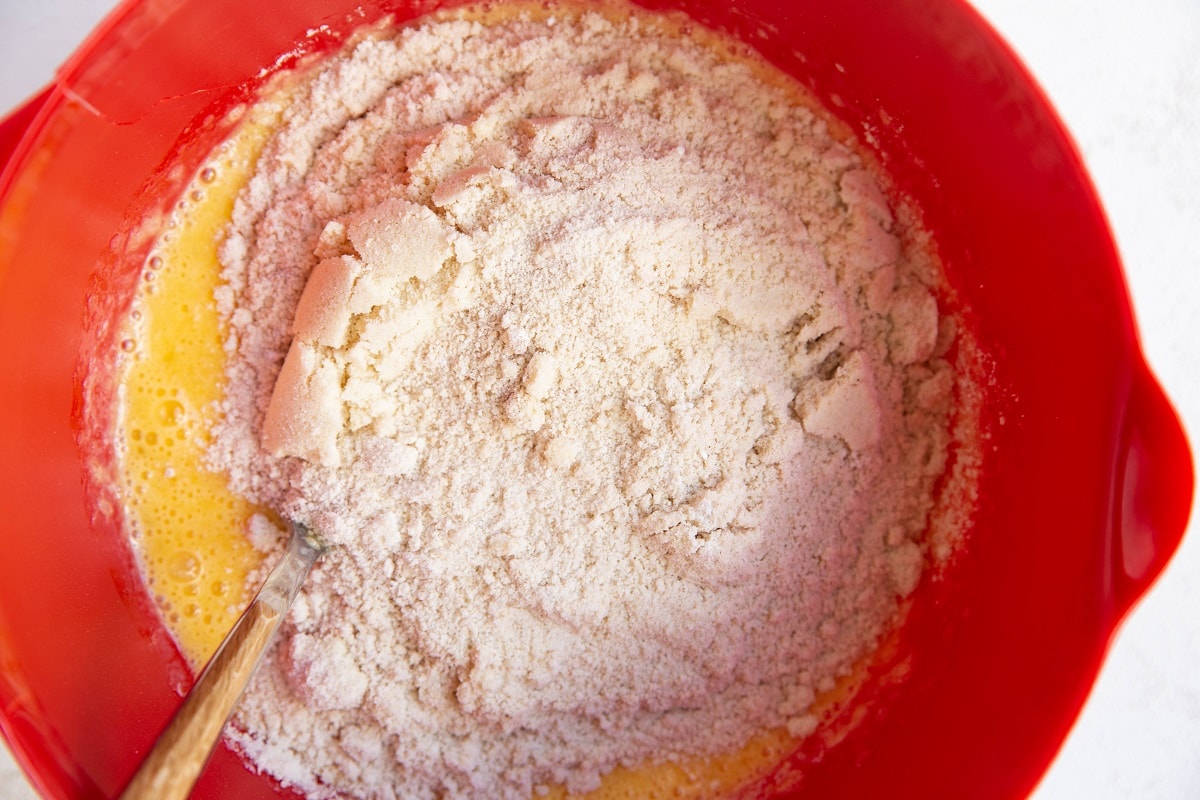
pixel 190 528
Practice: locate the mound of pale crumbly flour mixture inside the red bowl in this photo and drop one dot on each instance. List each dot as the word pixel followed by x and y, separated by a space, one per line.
pixel 616 386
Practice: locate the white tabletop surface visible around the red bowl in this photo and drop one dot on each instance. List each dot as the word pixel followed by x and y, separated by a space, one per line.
pixel 1126 79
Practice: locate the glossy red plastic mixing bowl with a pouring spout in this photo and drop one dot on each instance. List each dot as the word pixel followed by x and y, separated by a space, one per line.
pixel 1085 492
